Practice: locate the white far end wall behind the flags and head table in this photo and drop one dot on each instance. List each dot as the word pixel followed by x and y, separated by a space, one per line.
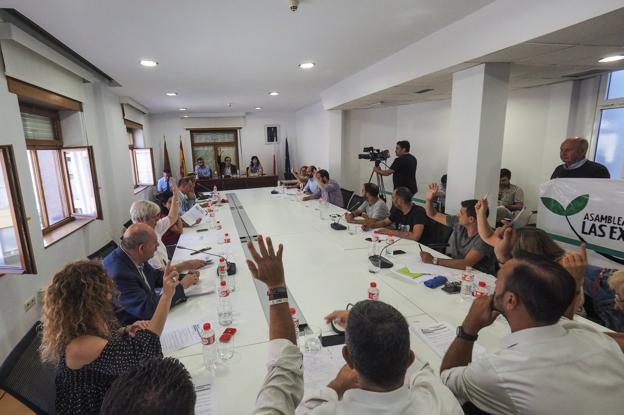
pixel 252 139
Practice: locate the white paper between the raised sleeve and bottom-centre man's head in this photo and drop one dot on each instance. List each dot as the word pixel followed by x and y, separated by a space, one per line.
pixel 319 368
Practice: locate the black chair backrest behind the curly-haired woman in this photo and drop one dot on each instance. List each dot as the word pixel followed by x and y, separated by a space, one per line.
pixel 26 377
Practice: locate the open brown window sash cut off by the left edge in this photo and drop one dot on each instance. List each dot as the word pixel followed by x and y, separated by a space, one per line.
pixel 15 249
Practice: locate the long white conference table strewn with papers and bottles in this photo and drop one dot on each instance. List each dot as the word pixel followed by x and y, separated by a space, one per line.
pixel 325 270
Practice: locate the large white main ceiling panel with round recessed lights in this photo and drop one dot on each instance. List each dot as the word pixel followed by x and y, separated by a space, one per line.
pixel 215 52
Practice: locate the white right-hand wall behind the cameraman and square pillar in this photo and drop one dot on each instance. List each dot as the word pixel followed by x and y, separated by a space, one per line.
pixel 537 120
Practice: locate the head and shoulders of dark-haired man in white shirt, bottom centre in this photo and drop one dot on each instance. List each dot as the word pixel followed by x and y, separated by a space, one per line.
pixel 372 381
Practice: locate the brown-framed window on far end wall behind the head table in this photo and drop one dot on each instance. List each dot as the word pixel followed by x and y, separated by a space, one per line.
pixel 208 143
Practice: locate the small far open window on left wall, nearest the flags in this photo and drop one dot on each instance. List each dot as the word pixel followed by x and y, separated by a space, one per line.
pixel 142 158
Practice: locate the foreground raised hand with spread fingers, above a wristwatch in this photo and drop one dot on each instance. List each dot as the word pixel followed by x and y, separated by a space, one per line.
pixel 267 265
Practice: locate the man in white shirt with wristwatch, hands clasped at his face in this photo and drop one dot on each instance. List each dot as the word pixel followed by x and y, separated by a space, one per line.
pixel 545 366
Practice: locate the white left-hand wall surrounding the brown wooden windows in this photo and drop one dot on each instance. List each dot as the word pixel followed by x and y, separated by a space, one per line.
pixel 101 126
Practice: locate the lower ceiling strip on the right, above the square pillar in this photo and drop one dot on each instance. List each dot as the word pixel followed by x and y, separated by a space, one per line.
pixel 564 55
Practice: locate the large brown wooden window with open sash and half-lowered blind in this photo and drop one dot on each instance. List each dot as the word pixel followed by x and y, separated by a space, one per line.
pixel 63 178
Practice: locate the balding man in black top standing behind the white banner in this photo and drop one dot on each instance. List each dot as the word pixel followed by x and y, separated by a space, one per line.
pixel 573 152
